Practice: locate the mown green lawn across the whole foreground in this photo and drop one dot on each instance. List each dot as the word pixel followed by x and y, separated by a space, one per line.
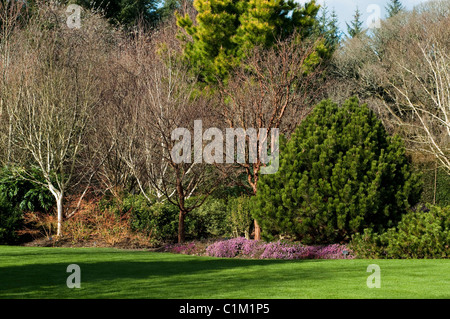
pixel 27 272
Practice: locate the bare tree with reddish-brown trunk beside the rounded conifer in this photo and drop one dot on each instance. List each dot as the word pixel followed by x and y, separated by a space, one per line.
pixel 273 89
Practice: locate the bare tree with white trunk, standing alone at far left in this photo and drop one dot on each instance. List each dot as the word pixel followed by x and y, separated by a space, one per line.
pixel 54 91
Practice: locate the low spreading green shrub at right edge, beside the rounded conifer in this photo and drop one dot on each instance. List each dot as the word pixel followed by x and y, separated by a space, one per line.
pixel 422 233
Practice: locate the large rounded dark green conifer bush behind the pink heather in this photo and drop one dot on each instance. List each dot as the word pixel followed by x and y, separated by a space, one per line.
pixel 339 173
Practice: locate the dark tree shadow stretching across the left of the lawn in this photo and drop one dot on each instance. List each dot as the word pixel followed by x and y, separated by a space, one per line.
pixel 152 278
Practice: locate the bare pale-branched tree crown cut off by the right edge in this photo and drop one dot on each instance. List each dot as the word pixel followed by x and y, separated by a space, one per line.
pixel 416 76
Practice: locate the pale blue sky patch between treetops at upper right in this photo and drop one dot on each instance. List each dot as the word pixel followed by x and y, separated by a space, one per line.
pixel 345 9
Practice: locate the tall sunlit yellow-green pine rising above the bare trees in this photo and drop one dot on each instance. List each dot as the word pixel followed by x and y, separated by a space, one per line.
pixel 225 30
